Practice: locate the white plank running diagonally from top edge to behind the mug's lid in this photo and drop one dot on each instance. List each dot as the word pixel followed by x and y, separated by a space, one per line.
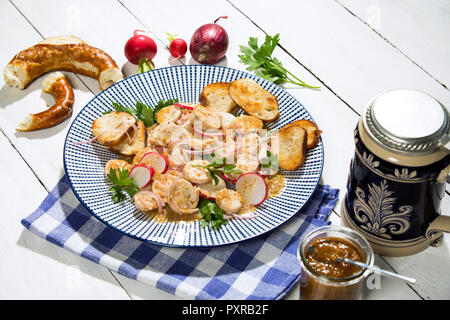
pixel 347 55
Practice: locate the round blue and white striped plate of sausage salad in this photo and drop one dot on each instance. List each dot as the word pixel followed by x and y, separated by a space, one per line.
pixel 154 157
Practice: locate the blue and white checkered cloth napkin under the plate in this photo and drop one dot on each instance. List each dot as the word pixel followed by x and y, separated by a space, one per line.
pixel 262 268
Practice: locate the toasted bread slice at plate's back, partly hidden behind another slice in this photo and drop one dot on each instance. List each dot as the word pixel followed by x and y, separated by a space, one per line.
pixel 216 97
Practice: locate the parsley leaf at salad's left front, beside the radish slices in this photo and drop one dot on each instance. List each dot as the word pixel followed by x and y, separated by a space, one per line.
pixel 122 184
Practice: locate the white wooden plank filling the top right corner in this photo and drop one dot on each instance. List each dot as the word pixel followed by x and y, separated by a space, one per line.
pixel 419 31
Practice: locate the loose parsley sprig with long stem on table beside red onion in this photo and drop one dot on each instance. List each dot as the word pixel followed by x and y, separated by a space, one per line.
pixel 260 60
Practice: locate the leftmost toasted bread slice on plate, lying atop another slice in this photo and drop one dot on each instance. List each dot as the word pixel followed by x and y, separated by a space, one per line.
pixel 111 128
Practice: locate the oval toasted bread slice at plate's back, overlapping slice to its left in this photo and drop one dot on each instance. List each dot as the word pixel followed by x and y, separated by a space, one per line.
pixel 256 101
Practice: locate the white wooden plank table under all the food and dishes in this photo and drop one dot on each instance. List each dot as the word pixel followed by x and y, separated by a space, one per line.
pixel 354 49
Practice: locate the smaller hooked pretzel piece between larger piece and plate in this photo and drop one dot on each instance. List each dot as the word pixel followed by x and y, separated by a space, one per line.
pixel 57 85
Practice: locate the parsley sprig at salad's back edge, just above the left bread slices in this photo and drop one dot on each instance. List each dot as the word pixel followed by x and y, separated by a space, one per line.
pixel 143 112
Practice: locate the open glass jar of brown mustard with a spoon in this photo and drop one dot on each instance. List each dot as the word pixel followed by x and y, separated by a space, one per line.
pixel 325 278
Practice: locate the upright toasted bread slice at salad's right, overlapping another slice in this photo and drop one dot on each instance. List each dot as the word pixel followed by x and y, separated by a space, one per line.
pixel 292 147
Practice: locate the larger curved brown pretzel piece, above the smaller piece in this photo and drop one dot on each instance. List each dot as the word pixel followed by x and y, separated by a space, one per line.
pixel 67 53
